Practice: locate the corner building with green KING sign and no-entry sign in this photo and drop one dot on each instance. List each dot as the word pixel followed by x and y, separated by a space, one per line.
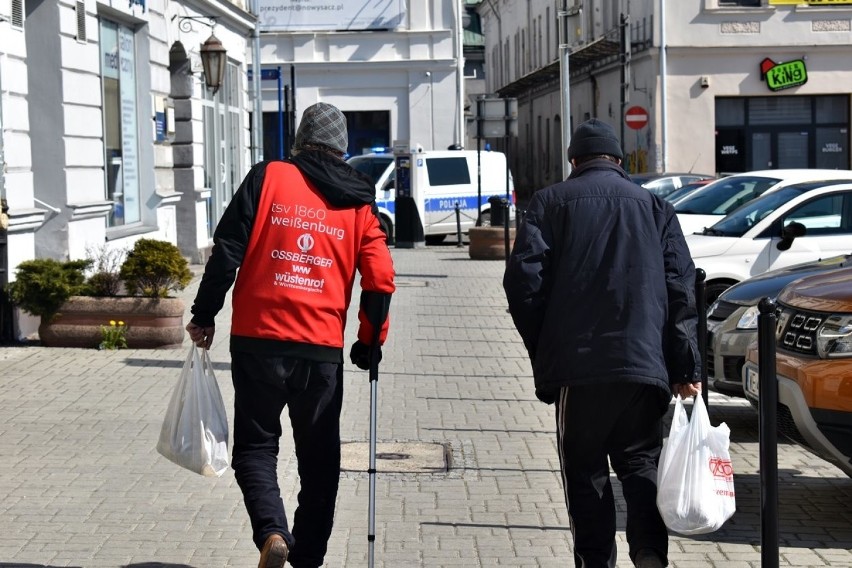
pixel 711 86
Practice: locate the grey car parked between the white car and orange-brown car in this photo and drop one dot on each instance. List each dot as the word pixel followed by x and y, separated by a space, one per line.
pixel 732 319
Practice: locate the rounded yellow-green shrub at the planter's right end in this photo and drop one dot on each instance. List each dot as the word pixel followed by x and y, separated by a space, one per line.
pixel 153 268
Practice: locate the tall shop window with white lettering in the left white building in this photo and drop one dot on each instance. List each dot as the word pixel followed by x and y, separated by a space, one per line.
pixel 121 136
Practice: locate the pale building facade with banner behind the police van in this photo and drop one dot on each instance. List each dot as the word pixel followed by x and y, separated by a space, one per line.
pixel 395 69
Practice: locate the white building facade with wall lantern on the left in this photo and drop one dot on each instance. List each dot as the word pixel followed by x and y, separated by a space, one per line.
pixel 108 132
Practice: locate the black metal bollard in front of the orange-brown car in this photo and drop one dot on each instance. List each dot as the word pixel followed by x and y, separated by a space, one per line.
pixel 768 409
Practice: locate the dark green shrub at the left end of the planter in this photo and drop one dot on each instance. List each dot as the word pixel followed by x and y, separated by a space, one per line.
pixel 42 285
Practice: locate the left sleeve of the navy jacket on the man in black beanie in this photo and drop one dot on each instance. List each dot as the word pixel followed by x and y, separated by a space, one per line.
pixel 527 277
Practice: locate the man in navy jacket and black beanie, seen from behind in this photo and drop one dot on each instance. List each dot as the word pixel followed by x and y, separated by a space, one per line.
pixel 600 285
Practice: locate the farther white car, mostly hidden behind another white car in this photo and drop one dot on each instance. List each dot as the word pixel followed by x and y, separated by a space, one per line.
pixel 710 204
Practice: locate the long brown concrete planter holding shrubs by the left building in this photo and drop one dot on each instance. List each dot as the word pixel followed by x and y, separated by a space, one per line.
pixel 151 322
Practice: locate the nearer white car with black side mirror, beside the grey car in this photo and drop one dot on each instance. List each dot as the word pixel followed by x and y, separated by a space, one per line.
pixel 788 226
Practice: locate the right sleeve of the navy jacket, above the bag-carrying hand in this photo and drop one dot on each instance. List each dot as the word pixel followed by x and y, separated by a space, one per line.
pixel 681 350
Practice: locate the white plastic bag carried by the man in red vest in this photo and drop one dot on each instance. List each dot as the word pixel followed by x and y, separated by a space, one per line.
pixel 195 431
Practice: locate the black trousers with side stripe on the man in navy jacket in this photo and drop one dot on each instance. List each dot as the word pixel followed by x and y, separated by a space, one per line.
pixel 622 422
